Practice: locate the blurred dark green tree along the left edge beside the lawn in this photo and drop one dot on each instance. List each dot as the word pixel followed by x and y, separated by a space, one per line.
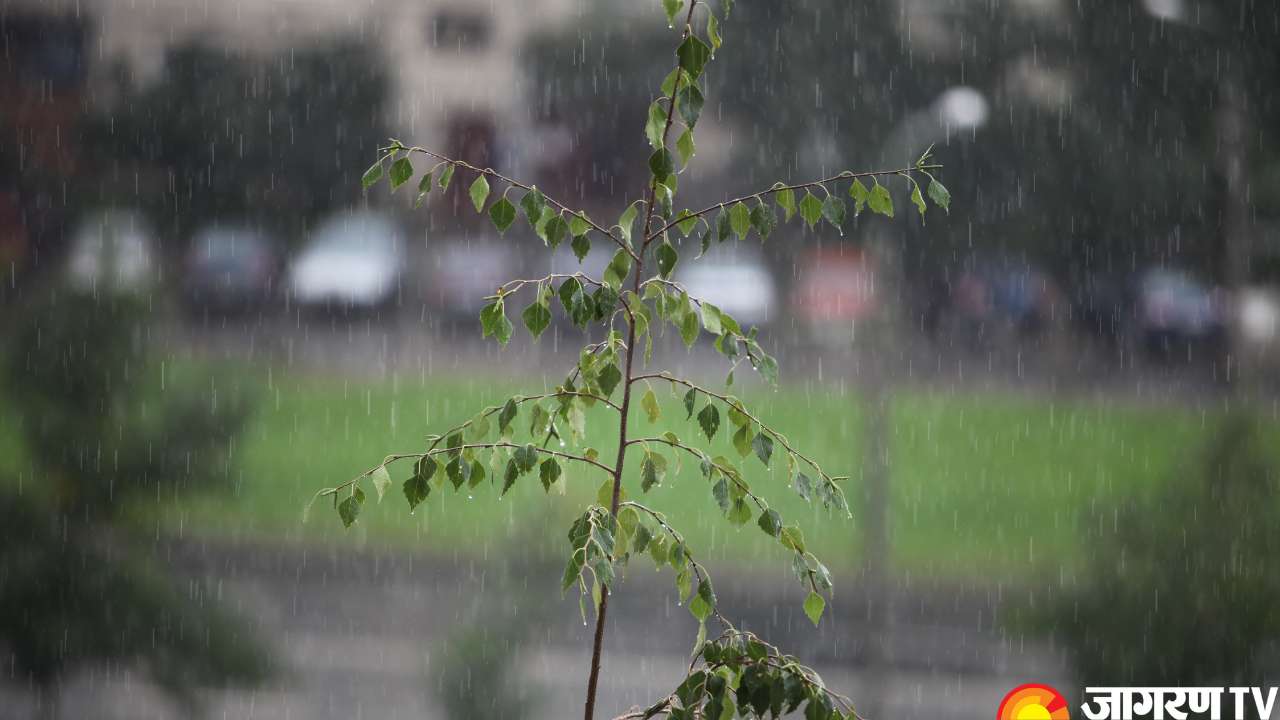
pixel 103 429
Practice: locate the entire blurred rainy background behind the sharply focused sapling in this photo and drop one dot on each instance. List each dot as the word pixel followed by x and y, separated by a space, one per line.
pixel 1058 405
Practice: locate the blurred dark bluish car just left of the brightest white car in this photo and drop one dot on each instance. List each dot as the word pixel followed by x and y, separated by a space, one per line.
pixel 230 268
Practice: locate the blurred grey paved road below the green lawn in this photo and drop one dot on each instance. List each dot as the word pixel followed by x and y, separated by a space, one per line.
pixel 365 637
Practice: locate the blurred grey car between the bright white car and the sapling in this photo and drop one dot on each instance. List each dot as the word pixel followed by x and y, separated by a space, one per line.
pixel 463 271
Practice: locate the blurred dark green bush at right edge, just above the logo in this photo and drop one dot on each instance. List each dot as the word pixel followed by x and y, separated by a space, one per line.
pixel 1181 587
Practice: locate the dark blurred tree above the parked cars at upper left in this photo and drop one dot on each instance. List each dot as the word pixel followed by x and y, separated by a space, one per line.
pixel 227 138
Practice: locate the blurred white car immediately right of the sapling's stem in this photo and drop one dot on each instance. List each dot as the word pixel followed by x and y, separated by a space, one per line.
pixel 735 279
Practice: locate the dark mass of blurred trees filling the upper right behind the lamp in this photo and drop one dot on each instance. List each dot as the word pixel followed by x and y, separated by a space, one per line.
pixel 1100 149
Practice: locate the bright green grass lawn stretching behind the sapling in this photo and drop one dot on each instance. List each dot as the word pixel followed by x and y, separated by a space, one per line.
pixel 1003 486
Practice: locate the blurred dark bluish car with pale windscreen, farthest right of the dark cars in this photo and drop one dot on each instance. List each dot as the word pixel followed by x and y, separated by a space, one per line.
pixel 1176 312
